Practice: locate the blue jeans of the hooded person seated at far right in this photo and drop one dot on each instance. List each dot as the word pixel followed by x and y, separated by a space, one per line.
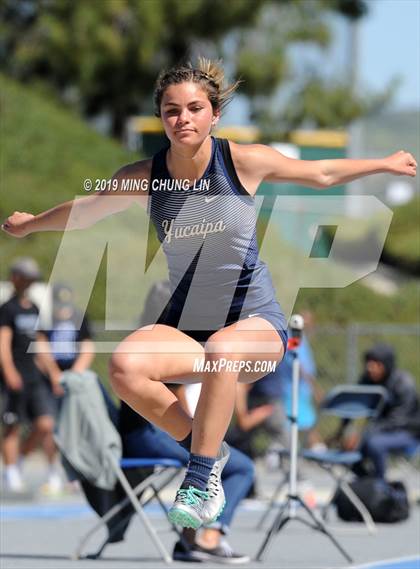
pixel 377 446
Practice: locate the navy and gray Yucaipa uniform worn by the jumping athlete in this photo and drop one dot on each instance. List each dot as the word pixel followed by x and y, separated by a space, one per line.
pixel 208 235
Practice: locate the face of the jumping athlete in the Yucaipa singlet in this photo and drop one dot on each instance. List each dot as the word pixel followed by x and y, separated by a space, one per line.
pixel 187 114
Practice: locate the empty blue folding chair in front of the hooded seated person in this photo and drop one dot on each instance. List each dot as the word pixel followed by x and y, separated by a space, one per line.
pixel 347 402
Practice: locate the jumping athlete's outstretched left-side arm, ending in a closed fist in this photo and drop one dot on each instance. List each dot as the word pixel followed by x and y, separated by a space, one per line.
pixel 83 212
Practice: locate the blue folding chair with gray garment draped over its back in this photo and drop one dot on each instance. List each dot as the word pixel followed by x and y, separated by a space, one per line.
pixel 91 448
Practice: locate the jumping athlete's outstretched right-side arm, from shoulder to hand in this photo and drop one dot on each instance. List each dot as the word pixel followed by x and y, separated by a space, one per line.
pixel 266 164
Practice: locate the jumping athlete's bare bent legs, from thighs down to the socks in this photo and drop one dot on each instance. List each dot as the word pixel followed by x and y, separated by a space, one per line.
pixel 138 374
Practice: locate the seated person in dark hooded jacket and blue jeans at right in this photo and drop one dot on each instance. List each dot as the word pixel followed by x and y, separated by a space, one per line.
pixel 397 428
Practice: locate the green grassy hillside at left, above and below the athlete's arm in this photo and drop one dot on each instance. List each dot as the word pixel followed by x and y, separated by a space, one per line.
pixel 47 152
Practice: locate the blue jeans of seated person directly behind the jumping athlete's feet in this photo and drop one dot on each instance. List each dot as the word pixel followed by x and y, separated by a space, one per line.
pixel 237 477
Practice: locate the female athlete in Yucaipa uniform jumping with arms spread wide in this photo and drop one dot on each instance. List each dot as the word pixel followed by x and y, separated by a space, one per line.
pixel 223 310
